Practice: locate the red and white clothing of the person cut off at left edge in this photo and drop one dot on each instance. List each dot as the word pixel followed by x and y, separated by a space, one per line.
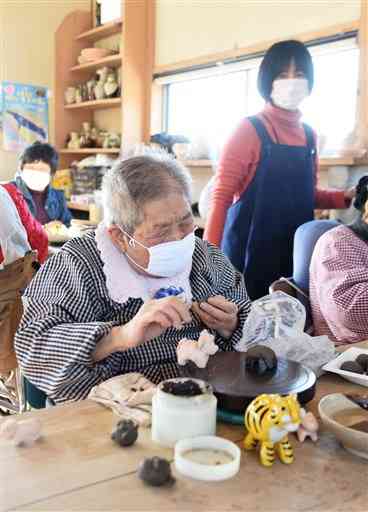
pixel 19 230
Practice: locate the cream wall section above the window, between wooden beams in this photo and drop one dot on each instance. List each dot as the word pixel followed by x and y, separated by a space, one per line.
pixel 186 29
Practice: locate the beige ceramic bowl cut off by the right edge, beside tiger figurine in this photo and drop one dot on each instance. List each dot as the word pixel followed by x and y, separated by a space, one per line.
pixel 353 440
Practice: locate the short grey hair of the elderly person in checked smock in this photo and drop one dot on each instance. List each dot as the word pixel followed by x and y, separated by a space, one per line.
pixel 133 182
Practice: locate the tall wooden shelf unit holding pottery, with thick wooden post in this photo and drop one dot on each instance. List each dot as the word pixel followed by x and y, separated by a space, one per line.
pixel 136 60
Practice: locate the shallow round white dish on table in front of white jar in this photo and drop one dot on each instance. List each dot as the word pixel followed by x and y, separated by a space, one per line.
pixel 202 471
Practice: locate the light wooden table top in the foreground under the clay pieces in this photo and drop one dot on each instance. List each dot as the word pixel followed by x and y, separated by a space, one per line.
pixel 77 467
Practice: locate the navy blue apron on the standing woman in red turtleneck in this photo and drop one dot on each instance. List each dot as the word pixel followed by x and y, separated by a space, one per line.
pixel 260 226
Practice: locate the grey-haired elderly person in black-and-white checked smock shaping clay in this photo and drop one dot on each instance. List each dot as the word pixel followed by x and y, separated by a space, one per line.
pixel 97 310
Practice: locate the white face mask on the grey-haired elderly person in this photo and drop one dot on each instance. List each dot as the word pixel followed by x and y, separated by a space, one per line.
pixel 168 259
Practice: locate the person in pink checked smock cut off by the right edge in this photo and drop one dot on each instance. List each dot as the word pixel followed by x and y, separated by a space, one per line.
pixel 339 277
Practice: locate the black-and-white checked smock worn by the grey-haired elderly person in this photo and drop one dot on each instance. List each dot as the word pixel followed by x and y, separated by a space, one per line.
pixel 67 310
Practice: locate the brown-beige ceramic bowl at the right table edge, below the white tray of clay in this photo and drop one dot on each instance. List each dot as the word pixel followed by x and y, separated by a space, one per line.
pixel 339 415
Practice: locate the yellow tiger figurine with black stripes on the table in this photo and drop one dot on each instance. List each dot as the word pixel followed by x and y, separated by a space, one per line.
pixel 268 420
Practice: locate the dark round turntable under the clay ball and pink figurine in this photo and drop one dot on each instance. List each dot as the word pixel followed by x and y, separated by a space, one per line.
pixel 235 387
